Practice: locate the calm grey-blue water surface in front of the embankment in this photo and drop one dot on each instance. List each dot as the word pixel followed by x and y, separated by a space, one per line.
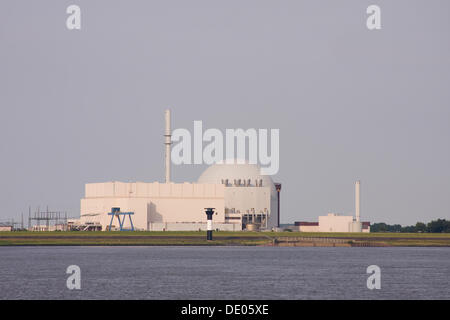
pixel 224 273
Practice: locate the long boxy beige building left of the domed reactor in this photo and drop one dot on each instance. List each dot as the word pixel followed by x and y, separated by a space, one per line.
pixel 155 206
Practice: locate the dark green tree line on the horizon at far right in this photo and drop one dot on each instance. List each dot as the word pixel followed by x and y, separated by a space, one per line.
pixel 434 226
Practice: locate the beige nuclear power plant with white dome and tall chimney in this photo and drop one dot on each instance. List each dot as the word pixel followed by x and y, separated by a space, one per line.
pixel 242 199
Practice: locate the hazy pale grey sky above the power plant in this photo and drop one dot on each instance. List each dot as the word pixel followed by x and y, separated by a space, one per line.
pixel 88 105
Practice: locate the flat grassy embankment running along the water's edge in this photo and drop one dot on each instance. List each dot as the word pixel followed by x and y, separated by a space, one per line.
pixel 220 238
